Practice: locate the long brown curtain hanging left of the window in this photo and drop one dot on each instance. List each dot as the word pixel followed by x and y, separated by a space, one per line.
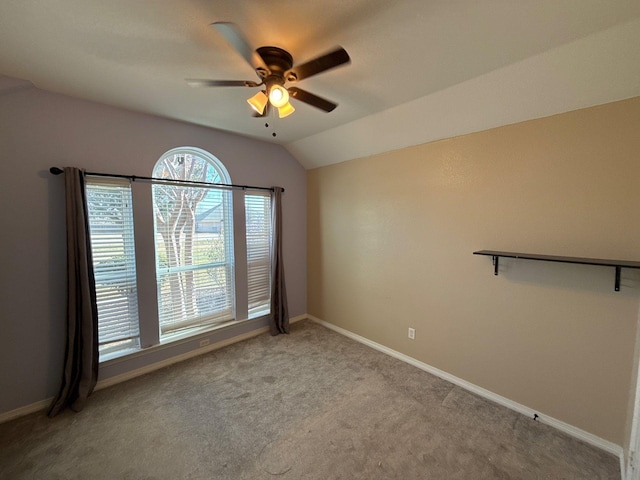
pixel 81 354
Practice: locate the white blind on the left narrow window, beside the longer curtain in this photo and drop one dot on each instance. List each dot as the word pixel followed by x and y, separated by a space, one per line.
pixel 112 245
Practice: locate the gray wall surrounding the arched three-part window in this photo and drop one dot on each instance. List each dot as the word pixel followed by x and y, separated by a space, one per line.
pixel 39 130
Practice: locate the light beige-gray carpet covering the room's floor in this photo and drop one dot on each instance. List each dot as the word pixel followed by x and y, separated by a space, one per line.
pixel 312 405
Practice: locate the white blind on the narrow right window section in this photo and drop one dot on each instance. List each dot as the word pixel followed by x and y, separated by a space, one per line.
pixel 258 222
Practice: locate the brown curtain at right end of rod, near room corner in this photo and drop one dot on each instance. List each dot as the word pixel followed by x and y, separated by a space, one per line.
pixel 279 318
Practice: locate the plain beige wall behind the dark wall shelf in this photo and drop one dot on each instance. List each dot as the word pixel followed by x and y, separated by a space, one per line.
pixel 390 242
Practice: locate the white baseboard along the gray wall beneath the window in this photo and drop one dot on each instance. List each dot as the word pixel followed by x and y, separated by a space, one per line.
pixel 44 404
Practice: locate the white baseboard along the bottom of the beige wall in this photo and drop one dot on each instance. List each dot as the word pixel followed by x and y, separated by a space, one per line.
pixel 494 397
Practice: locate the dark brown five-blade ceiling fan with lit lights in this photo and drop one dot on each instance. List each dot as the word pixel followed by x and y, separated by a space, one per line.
pixel 274 67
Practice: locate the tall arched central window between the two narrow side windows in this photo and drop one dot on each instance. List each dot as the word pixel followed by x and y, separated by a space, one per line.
pixel 194 242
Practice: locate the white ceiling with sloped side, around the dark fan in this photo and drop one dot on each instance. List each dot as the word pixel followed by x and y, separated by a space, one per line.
pixel 421 69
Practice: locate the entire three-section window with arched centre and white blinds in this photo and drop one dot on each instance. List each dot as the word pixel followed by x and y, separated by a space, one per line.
pixel 192 239
